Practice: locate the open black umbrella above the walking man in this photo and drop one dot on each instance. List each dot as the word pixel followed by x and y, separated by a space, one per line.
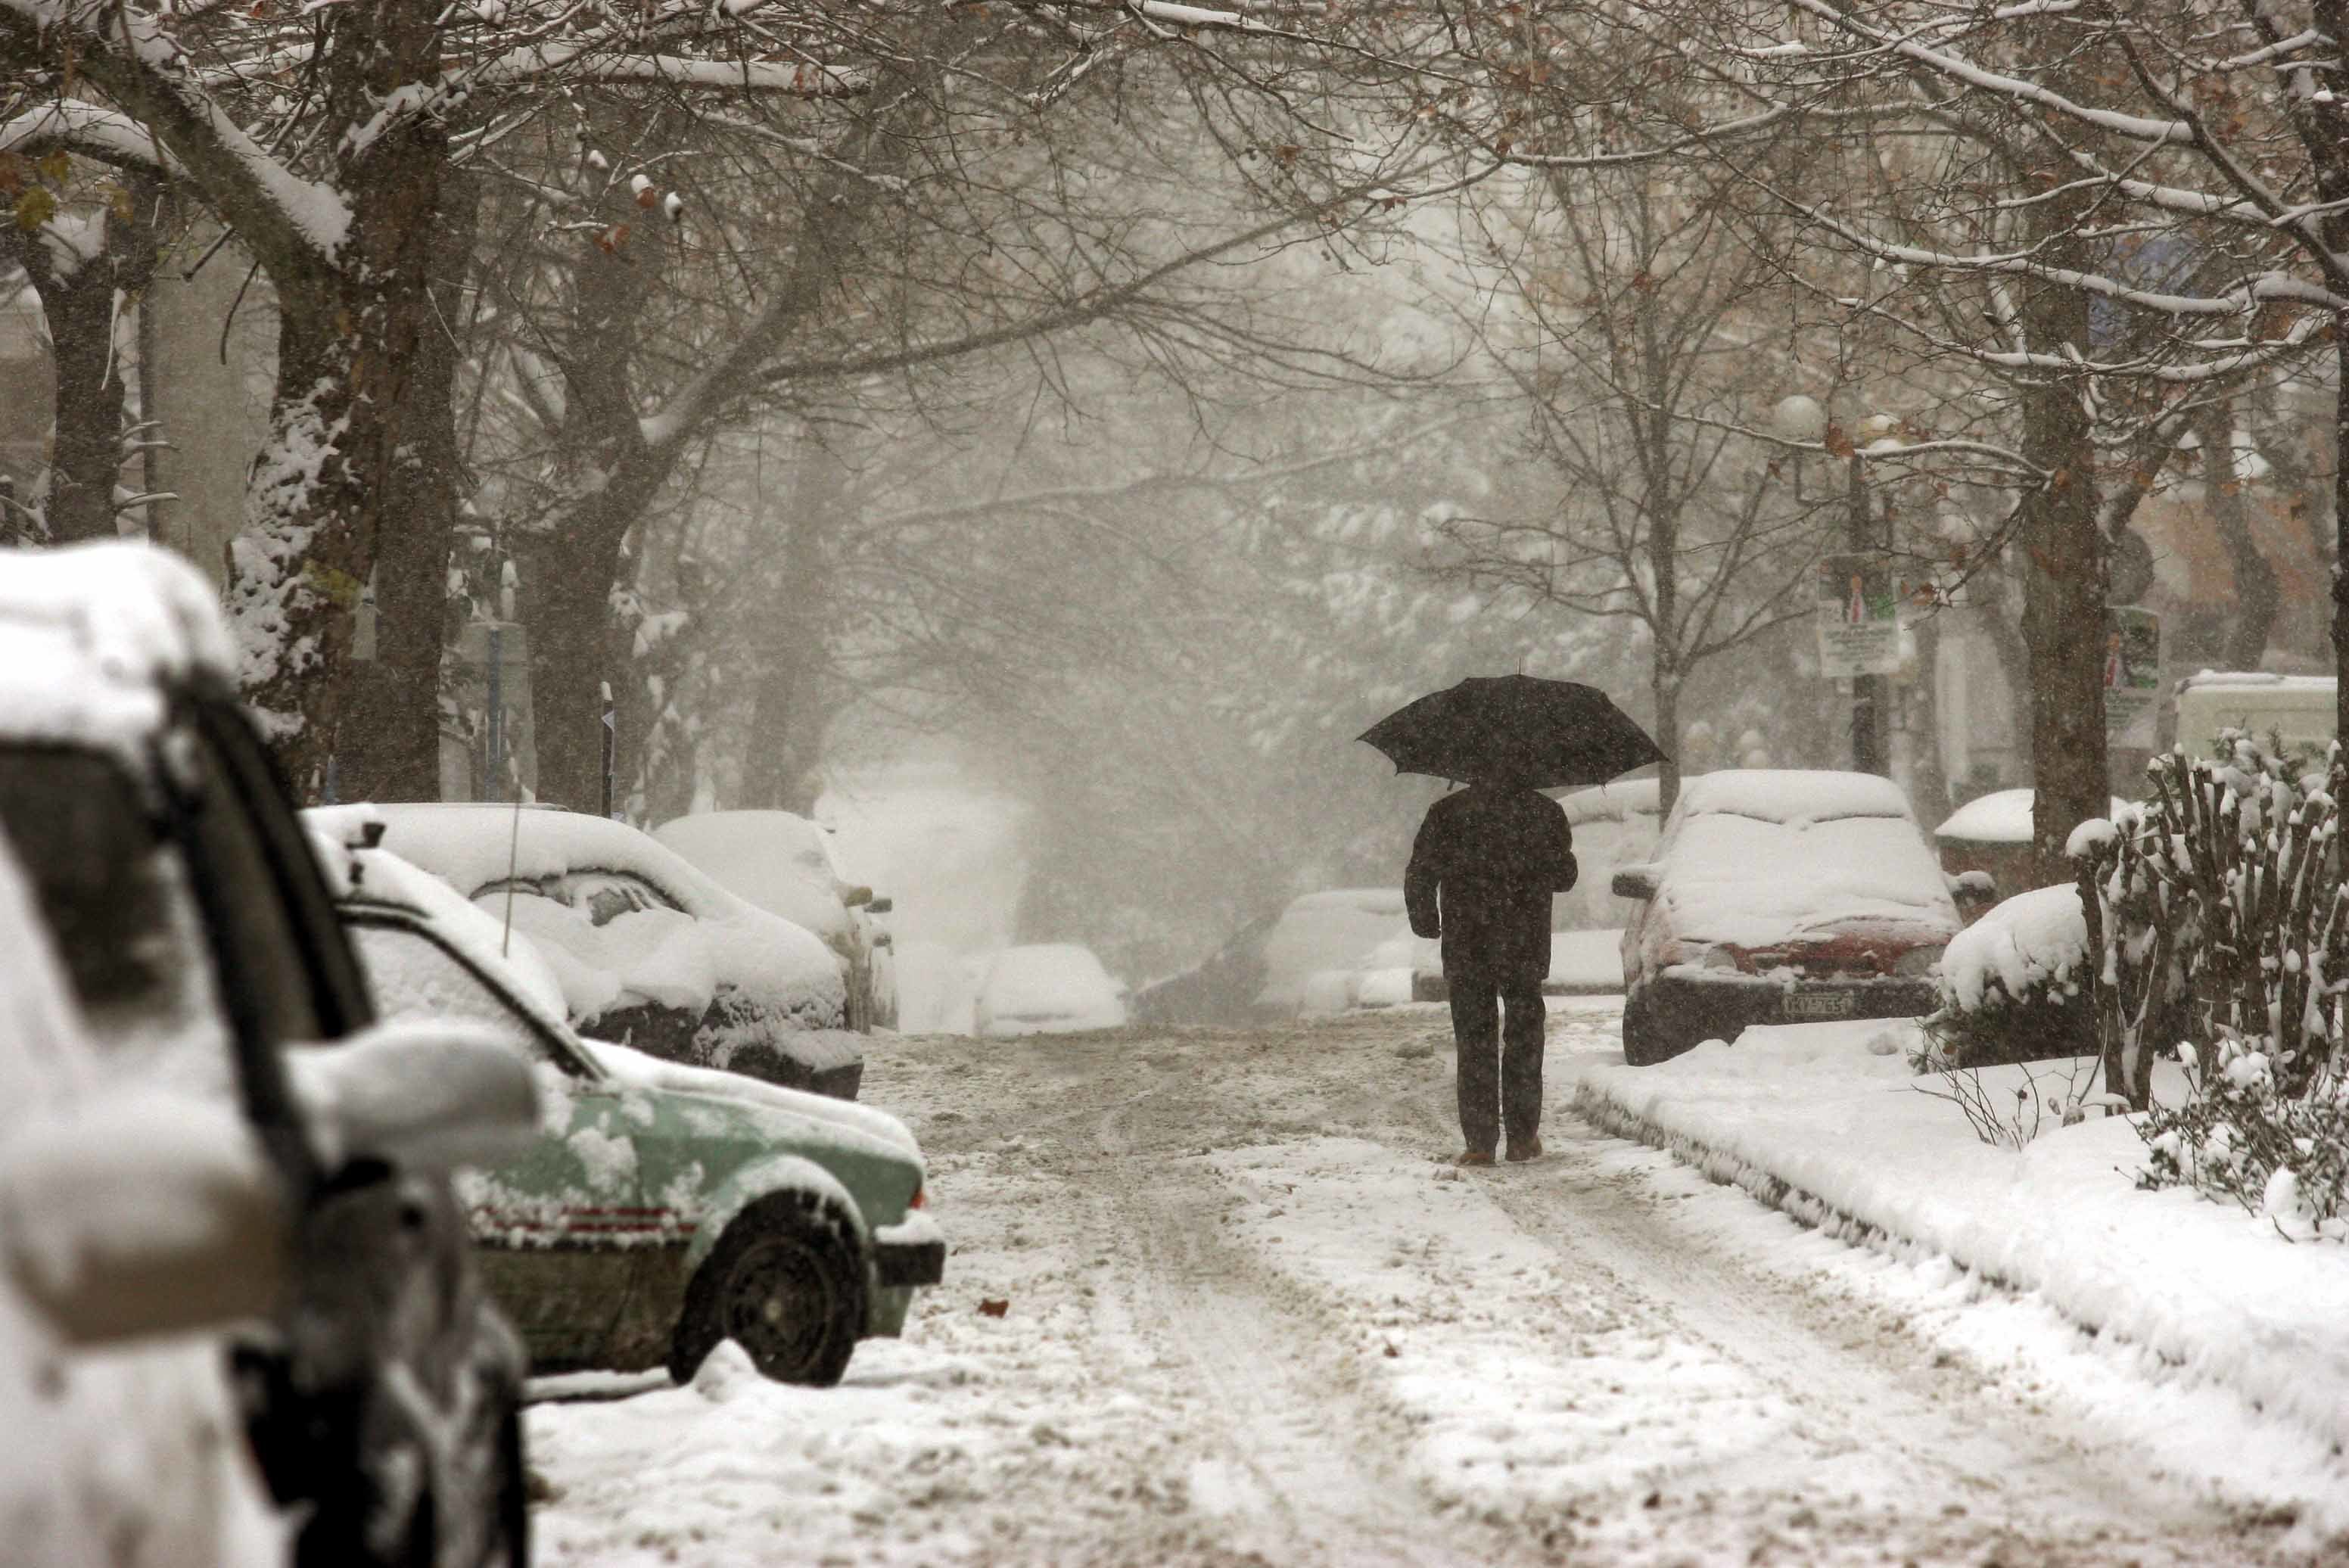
pixel 1544 734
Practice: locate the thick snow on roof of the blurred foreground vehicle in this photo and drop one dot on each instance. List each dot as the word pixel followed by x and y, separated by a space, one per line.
pixel 95 635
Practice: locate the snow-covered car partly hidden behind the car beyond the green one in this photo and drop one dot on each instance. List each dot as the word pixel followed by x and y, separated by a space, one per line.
pixel 783 865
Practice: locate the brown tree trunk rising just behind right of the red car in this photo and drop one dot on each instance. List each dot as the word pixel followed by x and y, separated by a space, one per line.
pixel 2064 576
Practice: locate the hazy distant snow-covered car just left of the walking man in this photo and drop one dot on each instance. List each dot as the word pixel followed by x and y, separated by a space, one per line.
pixel 1310 959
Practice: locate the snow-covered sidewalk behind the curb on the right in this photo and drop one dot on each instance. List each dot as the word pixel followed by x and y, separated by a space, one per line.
pixel 1829 1123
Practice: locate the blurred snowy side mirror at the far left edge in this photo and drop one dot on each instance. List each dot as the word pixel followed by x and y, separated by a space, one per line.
pixel 142 1215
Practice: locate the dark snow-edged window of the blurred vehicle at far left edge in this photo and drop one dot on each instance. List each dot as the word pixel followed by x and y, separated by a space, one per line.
pixel 116 903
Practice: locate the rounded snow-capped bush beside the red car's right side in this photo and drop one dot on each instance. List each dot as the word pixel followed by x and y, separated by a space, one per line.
pixel 2014 985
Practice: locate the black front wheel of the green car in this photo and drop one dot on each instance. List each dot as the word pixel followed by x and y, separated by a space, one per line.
pixel 788 1285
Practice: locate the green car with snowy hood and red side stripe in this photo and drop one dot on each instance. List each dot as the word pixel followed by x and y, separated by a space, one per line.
pixel 664 1208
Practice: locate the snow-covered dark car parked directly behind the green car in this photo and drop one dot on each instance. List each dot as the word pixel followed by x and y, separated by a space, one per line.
pixel 649 952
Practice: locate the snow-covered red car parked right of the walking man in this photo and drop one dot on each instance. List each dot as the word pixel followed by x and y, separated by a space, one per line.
pixel 1777 898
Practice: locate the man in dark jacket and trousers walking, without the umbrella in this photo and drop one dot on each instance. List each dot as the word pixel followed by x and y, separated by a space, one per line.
pixel 1481 877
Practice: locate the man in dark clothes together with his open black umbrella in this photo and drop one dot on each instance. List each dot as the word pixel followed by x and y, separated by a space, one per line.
pixel 1486 865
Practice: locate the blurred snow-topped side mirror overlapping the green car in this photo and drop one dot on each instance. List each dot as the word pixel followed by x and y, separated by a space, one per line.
pixel 422 1093
